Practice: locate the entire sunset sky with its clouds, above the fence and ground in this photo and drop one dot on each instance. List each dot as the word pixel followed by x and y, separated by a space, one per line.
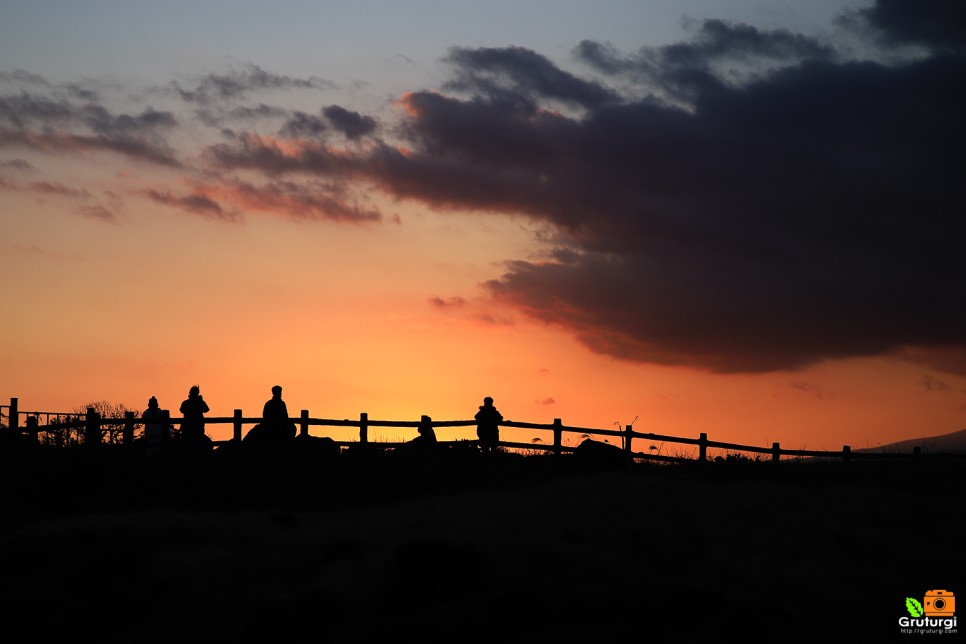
pixel 744 218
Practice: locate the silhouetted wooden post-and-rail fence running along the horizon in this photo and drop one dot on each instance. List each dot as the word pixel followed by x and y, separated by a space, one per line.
pixel 93 428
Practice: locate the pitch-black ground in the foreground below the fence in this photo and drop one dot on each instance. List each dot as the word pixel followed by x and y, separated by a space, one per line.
pixel 457 548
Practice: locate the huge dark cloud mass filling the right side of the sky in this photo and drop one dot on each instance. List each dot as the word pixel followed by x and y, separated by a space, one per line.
pixel 811 211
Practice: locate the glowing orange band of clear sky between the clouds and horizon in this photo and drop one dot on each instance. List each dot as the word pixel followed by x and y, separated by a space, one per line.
pixel 343 317
